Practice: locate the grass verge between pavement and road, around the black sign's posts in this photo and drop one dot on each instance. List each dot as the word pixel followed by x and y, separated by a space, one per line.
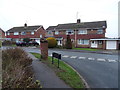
pixel 65 72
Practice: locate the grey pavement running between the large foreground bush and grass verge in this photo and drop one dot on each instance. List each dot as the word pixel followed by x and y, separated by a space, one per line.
pixel 45 75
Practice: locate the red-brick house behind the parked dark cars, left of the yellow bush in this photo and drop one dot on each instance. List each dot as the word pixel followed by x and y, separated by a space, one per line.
pixel 32 32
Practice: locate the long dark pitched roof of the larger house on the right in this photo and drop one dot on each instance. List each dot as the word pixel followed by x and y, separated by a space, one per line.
pixel 97 24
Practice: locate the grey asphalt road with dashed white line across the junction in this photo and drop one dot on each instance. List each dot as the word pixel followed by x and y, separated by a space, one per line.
pixel 98 70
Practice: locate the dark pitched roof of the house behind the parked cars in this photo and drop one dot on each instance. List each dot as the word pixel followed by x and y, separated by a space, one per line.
pixel 28 28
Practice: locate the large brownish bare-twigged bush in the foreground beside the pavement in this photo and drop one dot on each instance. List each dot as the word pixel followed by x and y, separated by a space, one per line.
pixel 17 71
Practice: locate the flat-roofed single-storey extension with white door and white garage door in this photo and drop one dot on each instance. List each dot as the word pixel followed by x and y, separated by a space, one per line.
pixel 105 43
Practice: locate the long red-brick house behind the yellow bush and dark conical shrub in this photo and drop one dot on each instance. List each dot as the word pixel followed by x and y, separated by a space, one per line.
pixel 80 32
